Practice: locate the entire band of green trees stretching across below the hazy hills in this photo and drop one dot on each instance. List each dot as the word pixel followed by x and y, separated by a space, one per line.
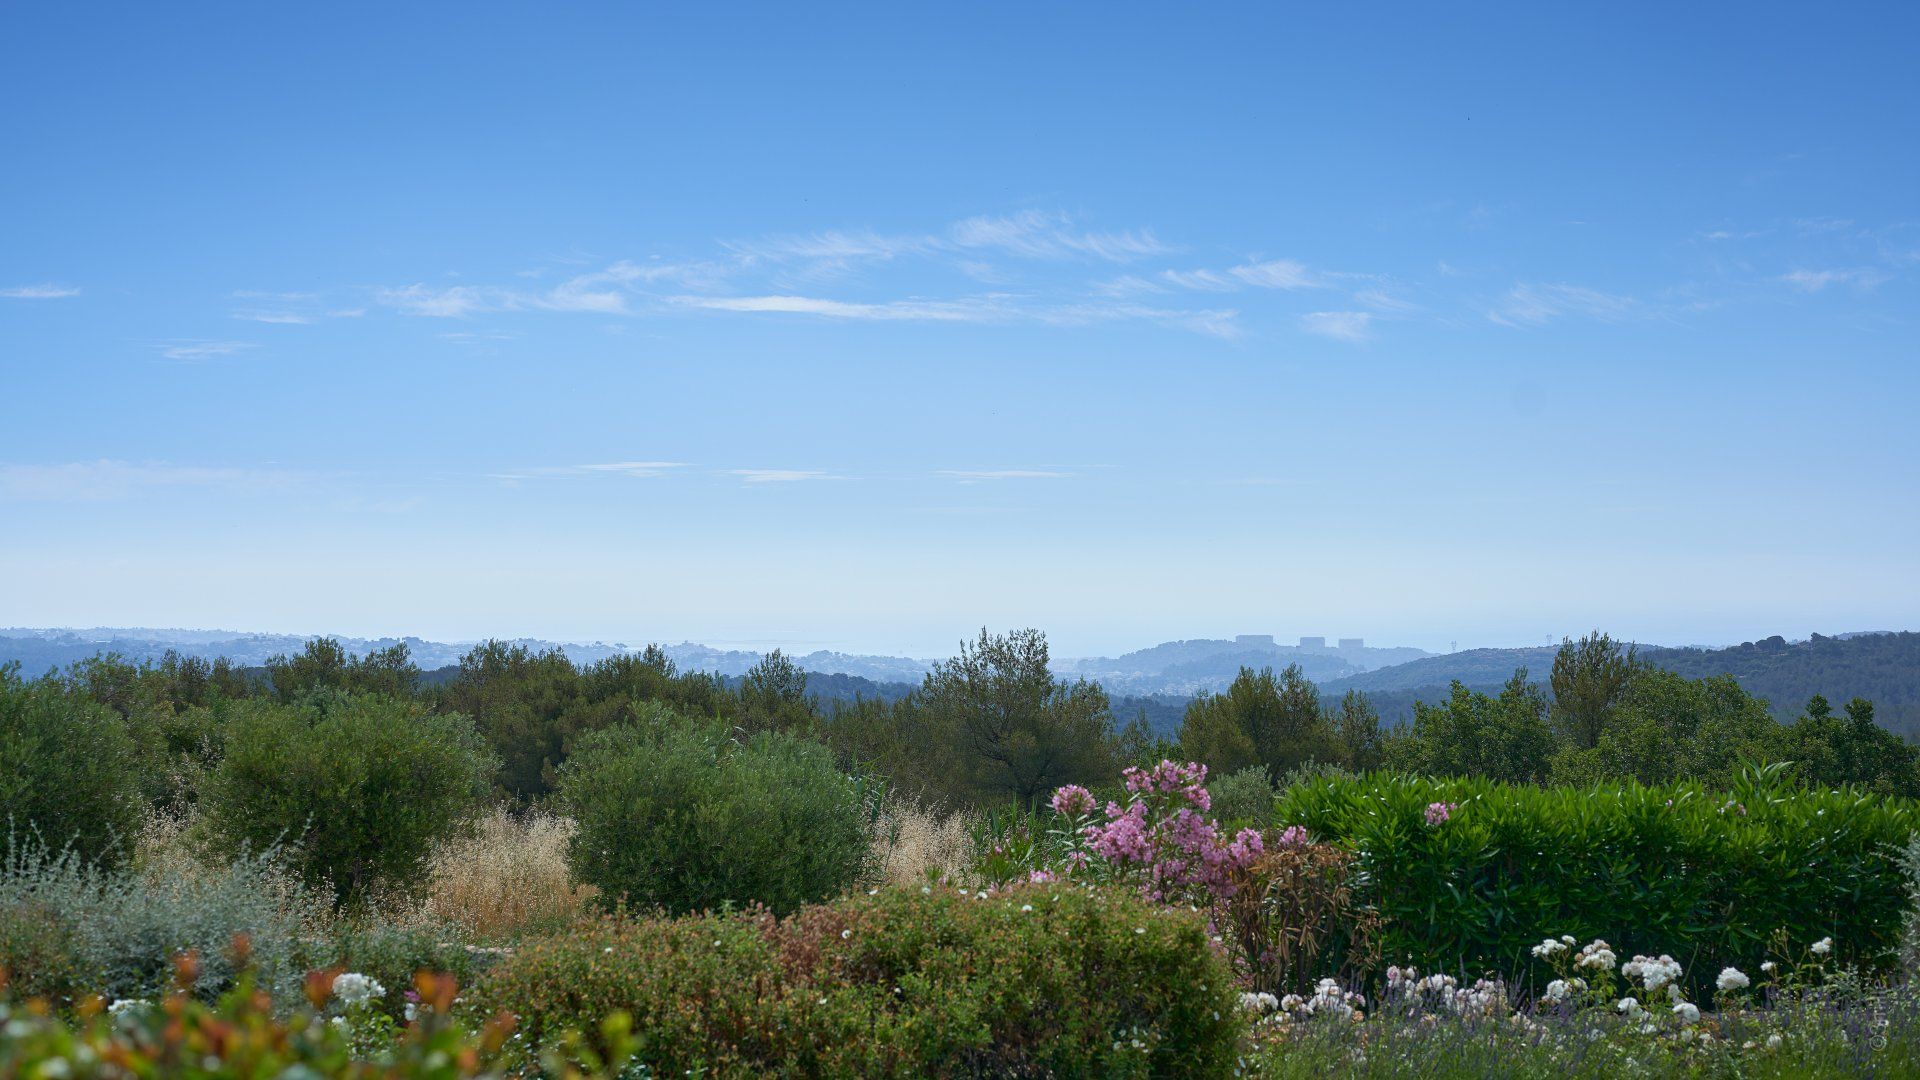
pixel 988 727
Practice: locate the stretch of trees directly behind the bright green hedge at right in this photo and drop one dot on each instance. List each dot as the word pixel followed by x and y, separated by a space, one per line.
pixel 1606 714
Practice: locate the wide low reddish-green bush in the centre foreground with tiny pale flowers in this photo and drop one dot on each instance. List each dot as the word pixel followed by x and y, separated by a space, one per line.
pixel 1034 981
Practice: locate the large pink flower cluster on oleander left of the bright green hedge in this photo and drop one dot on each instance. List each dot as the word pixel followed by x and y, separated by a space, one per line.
pixel 1166 839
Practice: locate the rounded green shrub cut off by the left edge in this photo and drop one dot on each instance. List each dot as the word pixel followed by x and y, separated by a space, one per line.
pixel 70 773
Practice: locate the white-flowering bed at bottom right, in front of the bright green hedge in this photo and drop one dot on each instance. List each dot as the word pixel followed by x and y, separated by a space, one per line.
pixel 1600 1019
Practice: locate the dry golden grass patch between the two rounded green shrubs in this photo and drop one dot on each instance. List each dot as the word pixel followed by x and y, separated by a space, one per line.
pixel 506 877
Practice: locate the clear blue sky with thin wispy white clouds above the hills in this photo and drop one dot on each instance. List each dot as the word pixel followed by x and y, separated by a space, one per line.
pixel 865 328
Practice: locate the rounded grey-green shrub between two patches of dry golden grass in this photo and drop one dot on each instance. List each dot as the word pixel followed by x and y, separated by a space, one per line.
pixel 683 816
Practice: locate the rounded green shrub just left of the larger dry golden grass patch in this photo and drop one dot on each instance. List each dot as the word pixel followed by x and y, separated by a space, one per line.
pixel 356 787
